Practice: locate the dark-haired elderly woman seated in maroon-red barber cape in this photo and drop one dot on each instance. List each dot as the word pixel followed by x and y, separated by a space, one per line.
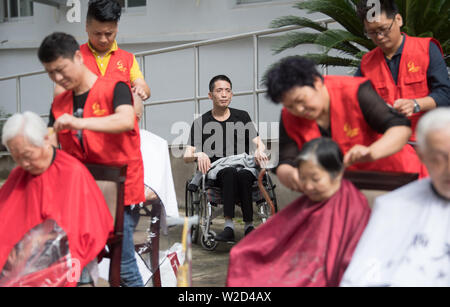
pixel 310 242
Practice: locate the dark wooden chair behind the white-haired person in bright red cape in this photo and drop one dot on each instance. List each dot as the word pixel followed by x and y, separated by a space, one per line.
pixel 111 181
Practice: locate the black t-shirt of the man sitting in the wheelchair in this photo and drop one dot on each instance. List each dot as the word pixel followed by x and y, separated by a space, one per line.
pixel 222 139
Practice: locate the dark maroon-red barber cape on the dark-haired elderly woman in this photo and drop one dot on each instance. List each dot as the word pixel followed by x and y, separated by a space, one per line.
pixel 305 244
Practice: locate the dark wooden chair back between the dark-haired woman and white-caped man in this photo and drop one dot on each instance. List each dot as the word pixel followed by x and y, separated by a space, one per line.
pixel 384 181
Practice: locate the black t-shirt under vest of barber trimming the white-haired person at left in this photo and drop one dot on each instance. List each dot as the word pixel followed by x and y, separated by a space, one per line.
pixel 122 96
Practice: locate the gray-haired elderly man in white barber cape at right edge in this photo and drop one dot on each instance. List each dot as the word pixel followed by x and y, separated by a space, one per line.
pixel 407 240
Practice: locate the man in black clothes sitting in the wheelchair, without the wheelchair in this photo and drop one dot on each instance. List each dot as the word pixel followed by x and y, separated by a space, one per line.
pixel 224 133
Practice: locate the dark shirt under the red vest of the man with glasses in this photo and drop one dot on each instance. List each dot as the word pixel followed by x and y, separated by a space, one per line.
pixel 437 74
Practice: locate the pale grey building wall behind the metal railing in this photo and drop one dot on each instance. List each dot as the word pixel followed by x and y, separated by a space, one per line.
pixel 170 76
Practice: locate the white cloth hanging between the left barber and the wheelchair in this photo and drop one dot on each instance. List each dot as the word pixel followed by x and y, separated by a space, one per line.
pixel 157 170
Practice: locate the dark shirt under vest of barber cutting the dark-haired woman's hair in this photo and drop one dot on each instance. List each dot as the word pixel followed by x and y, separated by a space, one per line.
pixel 378 115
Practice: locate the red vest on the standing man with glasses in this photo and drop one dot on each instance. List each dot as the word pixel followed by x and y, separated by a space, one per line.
pixel 412 78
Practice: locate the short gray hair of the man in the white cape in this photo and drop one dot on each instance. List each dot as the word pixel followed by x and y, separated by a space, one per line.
pixel 436 119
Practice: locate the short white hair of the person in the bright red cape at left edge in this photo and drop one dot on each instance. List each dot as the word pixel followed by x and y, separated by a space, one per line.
pixel 28 124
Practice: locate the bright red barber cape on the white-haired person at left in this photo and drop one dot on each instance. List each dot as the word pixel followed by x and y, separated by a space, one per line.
pixel 65 194
